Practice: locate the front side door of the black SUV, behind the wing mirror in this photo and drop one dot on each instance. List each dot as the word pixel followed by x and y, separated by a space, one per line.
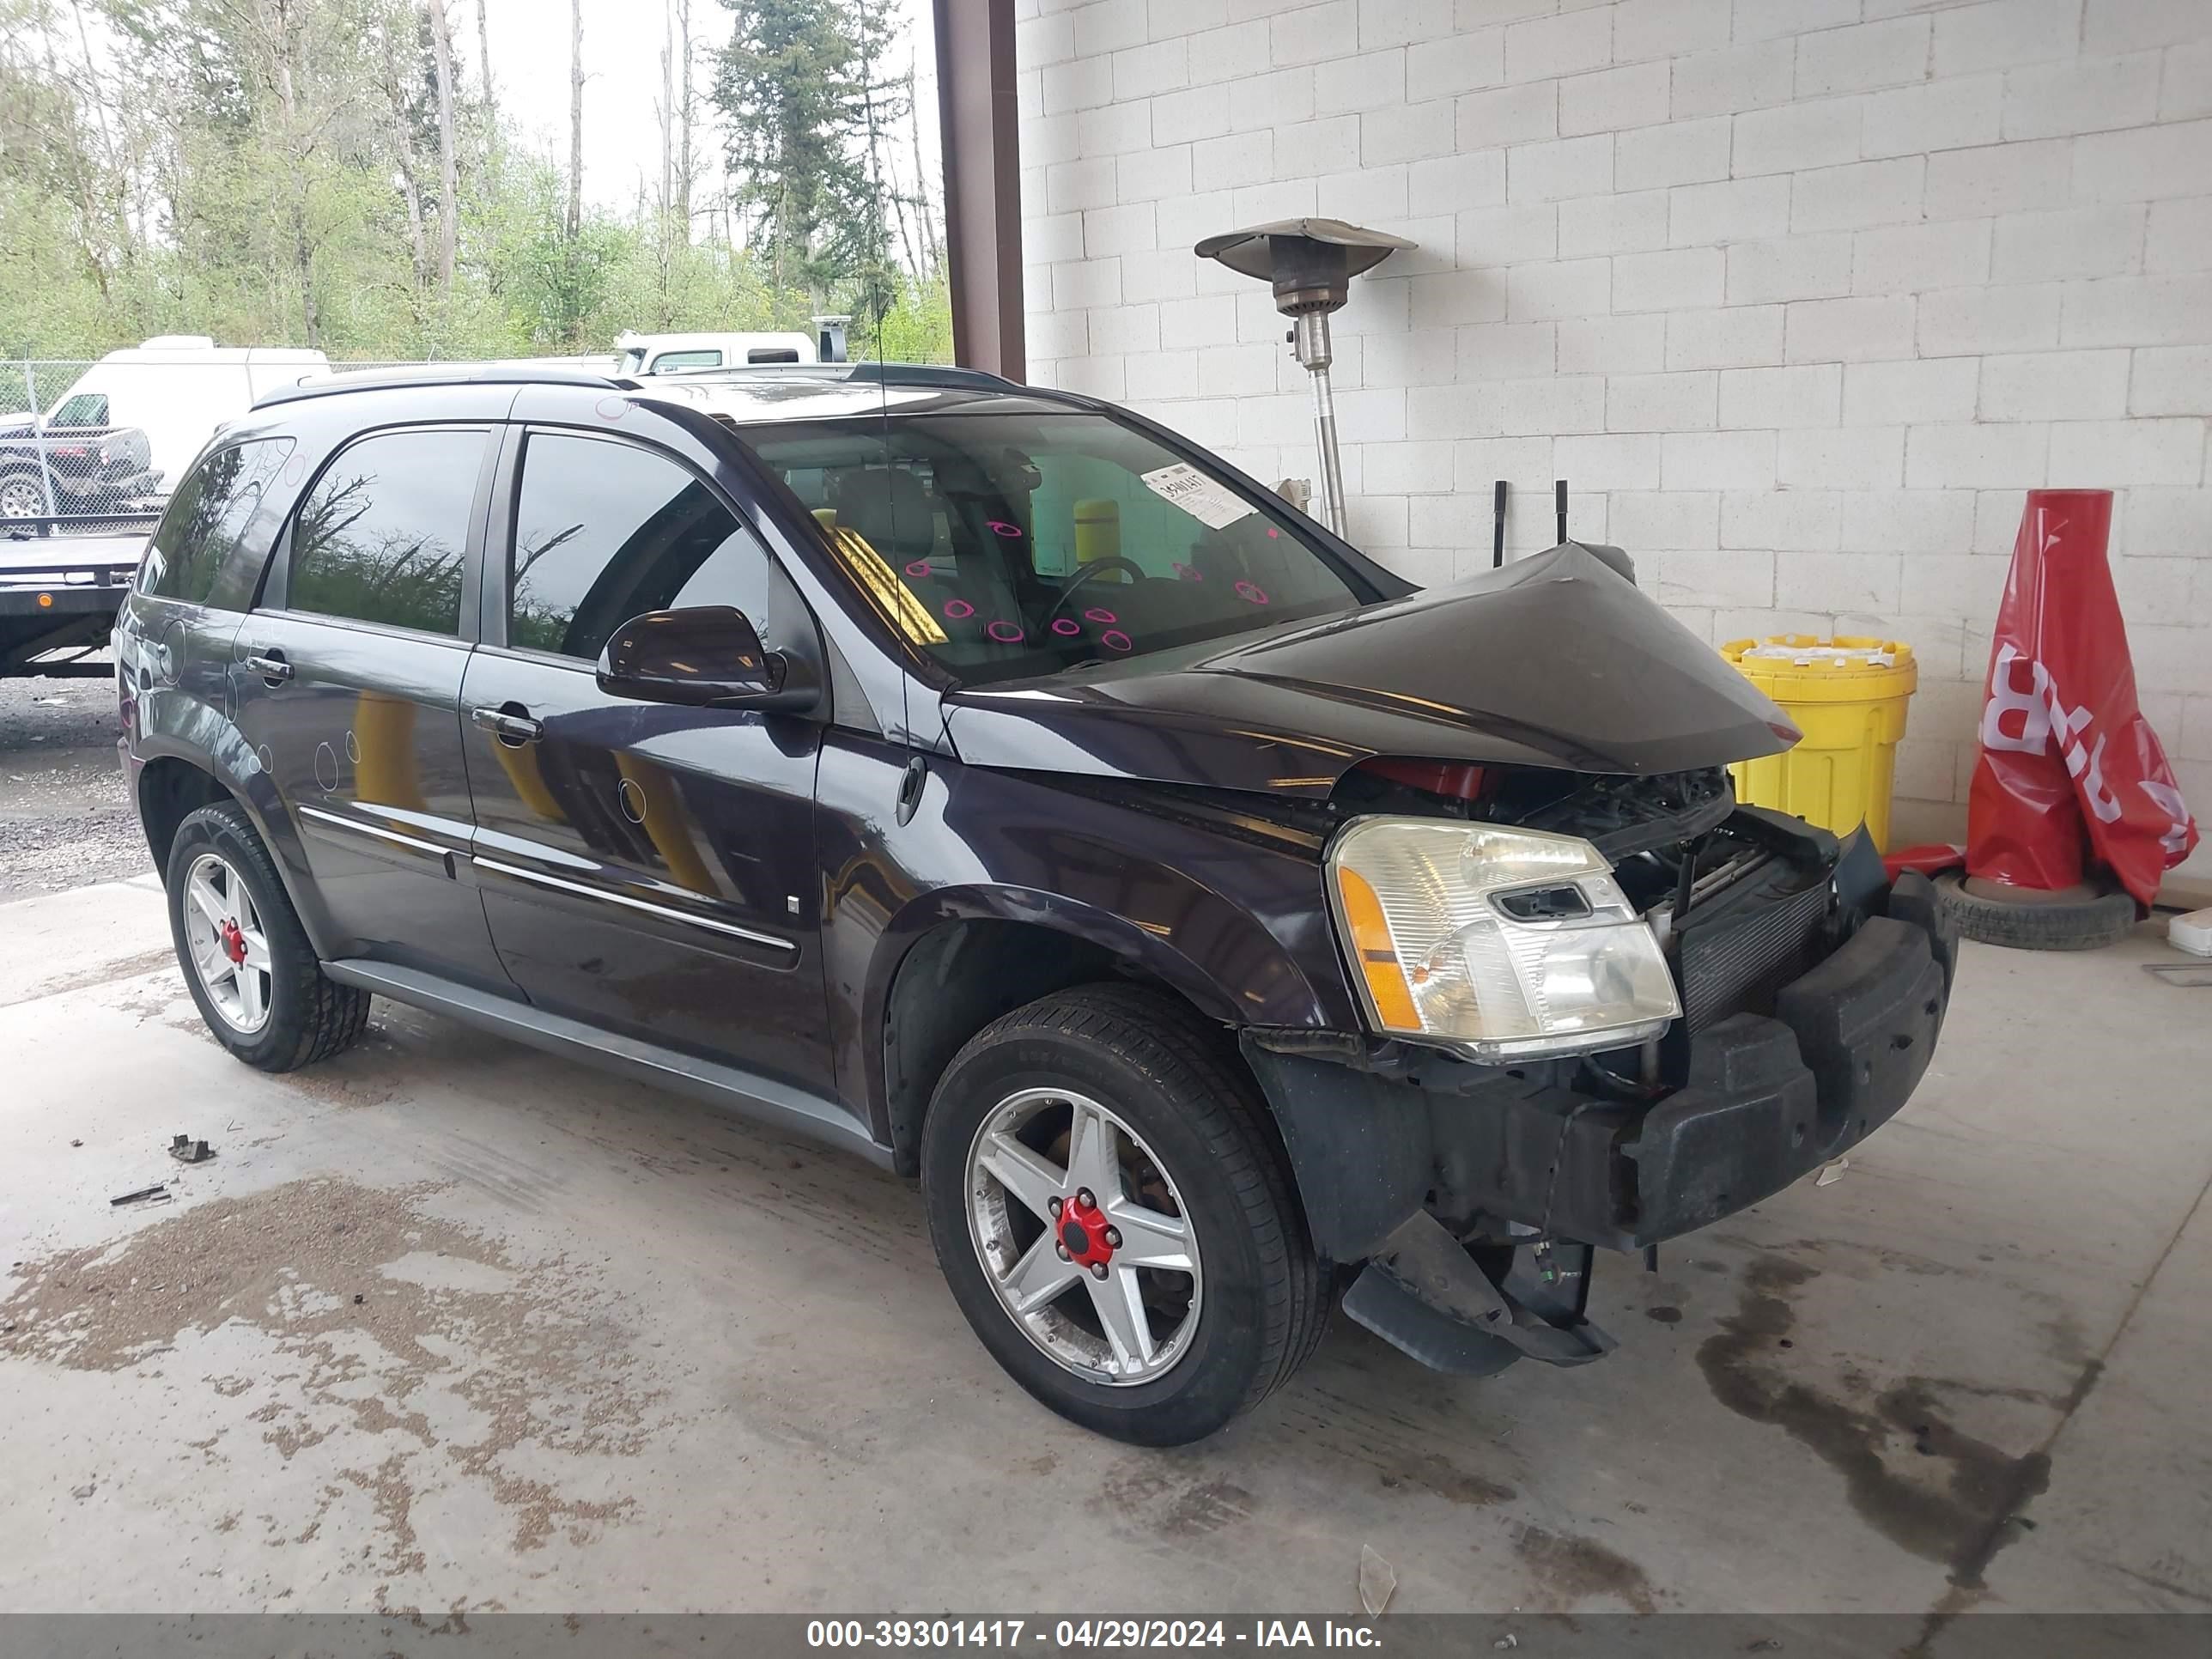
pixel 645 868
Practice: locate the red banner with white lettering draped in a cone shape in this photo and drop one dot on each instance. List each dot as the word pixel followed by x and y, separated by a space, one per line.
pixel 2069 773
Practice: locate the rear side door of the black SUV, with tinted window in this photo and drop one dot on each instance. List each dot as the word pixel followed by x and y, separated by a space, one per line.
pixel 348 687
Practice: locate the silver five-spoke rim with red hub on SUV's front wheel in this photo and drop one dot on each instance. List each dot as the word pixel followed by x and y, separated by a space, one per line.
pixel 1067 1196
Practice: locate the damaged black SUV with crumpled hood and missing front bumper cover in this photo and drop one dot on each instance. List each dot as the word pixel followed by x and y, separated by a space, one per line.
pixel 999 786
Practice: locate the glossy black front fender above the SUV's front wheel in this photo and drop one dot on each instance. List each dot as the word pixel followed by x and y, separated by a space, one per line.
pixel 1235 926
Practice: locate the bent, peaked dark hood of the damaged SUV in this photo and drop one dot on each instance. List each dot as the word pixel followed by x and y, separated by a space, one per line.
pixel 1556 660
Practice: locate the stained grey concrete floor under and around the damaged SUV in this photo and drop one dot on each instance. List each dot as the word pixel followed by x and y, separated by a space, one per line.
pixel 455 1326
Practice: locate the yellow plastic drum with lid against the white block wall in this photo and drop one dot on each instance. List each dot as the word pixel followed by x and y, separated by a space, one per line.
pixel 1848 696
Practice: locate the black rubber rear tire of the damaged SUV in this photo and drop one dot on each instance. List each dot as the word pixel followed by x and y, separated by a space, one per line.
pixel 304 1016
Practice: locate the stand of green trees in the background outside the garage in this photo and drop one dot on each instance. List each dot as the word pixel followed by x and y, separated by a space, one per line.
pixel 273 174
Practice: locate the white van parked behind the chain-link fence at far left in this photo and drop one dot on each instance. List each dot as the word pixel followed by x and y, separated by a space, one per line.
pixel 178 390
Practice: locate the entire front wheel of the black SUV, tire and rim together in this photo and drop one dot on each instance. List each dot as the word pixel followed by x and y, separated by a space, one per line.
pixel 1116 1220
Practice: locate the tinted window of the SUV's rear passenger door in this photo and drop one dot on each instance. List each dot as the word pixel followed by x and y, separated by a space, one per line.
pixel 386 528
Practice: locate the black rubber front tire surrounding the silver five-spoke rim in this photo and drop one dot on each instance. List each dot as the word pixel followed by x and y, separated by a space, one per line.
pixel 1189 1114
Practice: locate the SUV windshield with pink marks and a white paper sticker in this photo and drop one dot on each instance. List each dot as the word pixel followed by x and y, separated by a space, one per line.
pixel 1016 545
